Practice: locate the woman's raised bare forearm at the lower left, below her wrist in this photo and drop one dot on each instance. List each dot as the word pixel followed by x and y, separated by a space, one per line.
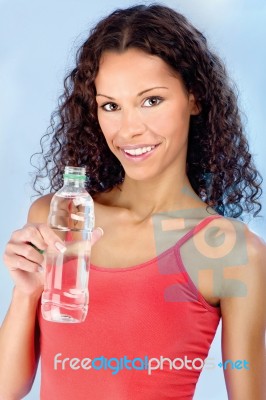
pixel 17 347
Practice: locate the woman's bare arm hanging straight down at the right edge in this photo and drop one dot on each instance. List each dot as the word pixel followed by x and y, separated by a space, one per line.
pixel 244 324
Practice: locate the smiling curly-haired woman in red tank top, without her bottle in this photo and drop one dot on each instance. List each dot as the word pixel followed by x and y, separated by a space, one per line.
pixel 149 111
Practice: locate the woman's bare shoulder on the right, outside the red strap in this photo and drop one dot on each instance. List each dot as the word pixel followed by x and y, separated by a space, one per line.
pixel 235 255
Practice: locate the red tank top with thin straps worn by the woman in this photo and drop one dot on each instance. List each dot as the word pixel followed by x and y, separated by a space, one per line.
pixel 146 333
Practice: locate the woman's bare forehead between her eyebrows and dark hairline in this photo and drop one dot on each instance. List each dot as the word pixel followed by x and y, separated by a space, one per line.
pixel 134 66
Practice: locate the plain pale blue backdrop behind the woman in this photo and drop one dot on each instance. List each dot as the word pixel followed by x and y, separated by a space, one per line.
pixel 38 41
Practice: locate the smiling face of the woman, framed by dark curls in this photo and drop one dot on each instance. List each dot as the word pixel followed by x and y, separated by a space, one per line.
pixel 144 112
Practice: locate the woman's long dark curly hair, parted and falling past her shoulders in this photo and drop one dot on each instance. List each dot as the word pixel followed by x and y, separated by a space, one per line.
pixel 219 164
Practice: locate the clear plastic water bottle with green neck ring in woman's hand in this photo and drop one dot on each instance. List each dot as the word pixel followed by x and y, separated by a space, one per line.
pixel 66 297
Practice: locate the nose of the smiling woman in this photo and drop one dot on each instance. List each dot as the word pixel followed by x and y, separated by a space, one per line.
pixel 132 123
